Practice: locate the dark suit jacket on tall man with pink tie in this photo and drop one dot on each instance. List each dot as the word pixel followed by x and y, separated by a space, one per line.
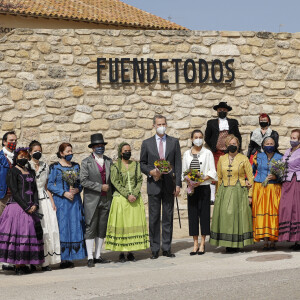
pixel 149 154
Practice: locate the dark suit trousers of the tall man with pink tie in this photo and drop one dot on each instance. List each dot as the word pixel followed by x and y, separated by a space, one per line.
pixel 155 202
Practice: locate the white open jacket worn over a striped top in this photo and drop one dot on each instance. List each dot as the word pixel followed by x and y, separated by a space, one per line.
pixel 206 161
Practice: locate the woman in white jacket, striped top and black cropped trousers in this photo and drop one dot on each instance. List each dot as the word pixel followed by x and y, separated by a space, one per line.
pixel 201 159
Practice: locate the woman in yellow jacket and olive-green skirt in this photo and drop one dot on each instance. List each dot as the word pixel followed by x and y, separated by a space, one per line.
pixel 231 225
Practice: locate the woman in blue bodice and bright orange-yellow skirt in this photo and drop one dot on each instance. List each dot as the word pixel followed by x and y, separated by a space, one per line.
pixel 266 197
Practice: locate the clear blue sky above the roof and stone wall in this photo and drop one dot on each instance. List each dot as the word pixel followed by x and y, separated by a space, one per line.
pixel 237 15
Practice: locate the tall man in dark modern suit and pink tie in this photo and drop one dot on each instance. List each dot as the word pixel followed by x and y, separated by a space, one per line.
pixel 161 188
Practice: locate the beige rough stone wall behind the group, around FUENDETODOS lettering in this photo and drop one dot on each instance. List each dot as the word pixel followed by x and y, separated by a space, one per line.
pixel 49 90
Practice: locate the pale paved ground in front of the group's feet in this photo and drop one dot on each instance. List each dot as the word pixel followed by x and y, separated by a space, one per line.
pixel 215 275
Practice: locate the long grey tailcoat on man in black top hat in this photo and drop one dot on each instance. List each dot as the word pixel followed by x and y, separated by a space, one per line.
pixel 91 181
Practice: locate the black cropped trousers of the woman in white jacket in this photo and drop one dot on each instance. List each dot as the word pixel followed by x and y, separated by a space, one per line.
pixel 199 209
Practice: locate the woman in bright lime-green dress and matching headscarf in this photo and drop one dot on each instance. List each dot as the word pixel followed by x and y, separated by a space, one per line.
pixel 126 227
